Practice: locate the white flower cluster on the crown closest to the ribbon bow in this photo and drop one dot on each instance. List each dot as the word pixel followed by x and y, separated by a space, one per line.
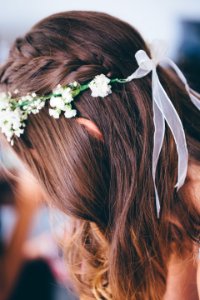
pixel 100 86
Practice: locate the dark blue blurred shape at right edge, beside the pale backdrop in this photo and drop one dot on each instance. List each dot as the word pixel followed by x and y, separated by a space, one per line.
pixel 188 52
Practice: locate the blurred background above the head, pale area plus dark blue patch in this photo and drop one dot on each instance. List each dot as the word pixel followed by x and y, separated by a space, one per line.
pixel 175 21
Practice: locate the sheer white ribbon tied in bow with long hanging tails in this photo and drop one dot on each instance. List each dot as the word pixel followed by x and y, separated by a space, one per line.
pixel 164 110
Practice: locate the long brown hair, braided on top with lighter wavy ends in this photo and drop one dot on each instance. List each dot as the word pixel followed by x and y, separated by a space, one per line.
pixel 119 249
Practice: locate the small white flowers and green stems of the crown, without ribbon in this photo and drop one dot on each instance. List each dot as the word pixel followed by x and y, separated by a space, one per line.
pixel 14 111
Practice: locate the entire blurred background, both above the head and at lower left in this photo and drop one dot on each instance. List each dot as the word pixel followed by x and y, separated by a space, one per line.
pixel 31 261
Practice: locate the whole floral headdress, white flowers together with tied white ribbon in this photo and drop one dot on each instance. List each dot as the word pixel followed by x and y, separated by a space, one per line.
pixel 14 112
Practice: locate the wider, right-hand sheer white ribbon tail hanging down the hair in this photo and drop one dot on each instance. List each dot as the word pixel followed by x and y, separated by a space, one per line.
pixel 174 122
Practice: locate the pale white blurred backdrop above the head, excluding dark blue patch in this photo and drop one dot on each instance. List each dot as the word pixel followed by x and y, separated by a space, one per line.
pixel 153 18
